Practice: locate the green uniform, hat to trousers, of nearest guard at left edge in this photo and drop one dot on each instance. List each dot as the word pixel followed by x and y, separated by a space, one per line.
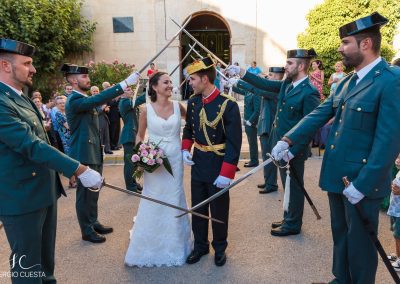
pixel 30 182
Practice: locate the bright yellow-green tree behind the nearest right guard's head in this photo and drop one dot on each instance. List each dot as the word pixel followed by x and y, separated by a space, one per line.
pixel 323 28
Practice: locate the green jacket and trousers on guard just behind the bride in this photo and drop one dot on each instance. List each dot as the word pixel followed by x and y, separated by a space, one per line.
pixel 128 110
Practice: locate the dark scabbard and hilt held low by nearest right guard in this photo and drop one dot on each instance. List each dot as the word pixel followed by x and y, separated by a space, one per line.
pixel 374 238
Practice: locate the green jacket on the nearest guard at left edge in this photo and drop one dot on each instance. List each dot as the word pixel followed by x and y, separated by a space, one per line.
pixel 28 164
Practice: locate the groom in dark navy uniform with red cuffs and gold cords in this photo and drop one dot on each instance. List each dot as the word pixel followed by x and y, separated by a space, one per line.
pixel 213 126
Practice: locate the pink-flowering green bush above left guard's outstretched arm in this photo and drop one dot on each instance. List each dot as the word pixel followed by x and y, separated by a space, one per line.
pixel 112 72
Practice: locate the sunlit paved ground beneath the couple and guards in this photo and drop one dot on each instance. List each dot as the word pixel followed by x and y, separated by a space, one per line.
pixel 254 256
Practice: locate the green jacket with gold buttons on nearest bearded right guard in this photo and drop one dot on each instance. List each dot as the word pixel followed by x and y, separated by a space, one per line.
pixel 363 142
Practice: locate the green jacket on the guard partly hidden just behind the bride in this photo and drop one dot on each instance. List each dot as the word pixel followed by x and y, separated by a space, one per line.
pixel 129 117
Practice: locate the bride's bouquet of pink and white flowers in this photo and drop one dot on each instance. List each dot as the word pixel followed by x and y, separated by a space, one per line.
pixel 149 157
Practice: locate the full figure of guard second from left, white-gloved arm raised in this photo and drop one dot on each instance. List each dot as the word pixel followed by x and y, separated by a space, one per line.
pixel 85 142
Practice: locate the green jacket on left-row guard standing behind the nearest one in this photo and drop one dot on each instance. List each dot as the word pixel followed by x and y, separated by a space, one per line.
pixel 83 122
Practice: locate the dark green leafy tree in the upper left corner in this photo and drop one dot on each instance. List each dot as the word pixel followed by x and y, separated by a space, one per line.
pixel 57 30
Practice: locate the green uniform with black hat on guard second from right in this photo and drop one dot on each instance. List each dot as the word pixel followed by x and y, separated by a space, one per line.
pixel 293 104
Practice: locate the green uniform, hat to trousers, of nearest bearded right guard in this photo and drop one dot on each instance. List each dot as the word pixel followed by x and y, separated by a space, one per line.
pixel 362 145
